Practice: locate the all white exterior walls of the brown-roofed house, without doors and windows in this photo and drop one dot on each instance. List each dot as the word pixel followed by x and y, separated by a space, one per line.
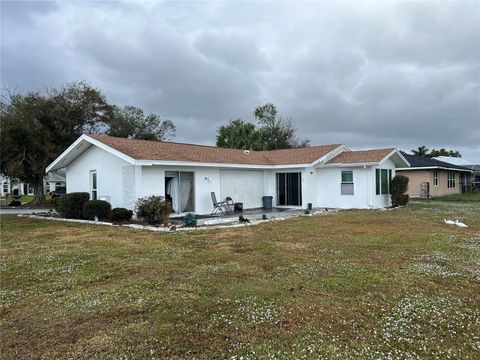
pixel 124 183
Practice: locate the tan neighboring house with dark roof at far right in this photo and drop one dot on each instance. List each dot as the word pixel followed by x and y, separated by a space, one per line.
pixel 430 177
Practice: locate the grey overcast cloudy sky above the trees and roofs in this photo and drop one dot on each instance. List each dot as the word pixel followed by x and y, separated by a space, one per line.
pixel 364 74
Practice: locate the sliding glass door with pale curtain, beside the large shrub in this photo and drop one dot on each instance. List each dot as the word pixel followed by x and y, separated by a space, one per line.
pixel 179 190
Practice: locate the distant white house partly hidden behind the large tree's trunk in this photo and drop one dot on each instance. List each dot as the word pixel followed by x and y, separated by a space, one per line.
pixel 51 182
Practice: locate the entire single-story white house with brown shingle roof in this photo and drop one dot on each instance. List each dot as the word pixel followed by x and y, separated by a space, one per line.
pixel 122 170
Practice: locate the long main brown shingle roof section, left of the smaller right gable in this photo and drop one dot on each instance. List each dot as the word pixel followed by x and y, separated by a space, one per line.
pixel 170 151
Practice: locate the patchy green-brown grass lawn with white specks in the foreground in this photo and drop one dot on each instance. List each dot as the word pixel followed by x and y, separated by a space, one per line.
pixel 357 284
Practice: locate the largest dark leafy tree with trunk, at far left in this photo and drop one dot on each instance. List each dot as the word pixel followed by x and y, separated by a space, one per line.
pixel 37 127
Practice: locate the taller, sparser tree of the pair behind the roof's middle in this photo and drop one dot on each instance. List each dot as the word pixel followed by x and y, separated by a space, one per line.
pixel 276 133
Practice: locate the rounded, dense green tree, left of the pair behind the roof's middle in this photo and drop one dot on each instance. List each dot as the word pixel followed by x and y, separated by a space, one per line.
pixel 238 134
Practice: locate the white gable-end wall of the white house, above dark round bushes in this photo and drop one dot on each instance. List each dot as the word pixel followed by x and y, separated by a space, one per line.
pixel 109 174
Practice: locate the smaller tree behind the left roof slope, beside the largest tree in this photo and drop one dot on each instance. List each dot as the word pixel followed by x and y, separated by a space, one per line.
pixel 131 122
